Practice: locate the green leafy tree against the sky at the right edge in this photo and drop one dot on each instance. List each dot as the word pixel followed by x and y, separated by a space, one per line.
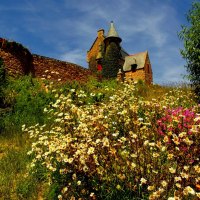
pixel 191 53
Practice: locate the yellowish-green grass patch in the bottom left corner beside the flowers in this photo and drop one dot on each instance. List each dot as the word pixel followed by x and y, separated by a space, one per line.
pixel 15 180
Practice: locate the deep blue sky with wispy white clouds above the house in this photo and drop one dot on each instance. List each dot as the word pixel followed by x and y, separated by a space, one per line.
pixel 66 29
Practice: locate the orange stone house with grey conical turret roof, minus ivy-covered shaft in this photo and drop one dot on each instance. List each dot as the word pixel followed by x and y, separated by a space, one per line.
pixel 136 66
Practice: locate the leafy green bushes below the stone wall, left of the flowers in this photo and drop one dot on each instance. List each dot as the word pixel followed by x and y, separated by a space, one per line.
pixel 27 100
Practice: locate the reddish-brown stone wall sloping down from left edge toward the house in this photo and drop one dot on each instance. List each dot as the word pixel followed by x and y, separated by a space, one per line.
pixel 19 61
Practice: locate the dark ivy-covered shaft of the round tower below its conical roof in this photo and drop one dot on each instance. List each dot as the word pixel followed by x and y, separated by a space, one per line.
pixel 111 61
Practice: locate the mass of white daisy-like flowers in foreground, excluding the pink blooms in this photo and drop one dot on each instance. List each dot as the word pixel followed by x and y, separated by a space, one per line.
pixel 116 142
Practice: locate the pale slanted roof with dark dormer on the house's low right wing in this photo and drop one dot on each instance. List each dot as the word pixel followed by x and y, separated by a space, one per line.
pixel 138 59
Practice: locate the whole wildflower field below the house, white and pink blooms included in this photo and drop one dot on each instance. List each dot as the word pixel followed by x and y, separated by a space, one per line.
pixel 114 140
